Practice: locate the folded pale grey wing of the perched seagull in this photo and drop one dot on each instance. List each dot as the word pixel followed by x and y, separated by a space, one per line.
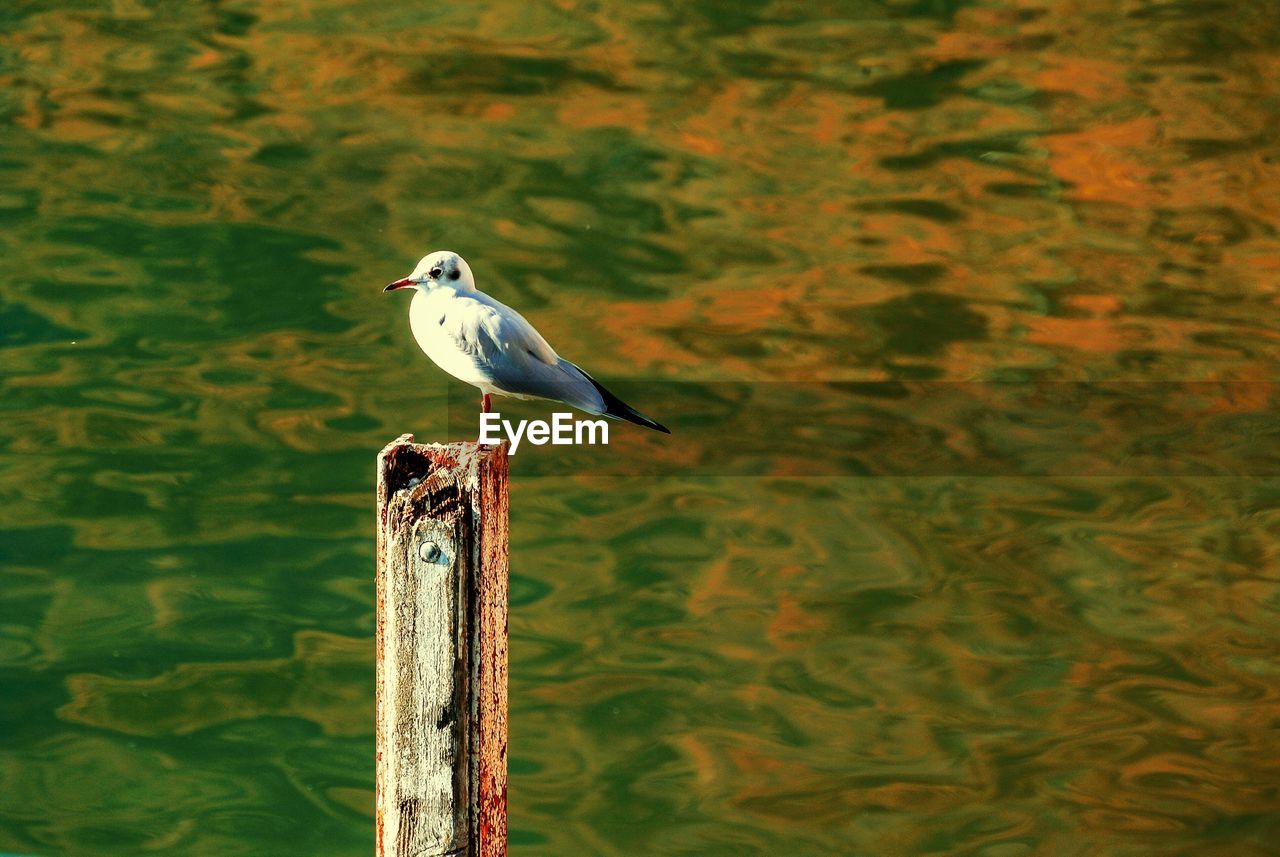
pixel 519 361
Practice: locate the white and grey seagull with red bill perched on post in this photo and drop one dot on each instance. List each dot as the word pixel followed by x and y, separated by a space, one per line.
pixel 486 343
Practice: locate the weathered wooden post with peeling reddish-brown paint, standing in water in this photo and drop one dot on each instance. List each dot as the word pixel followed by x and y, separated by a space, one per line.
pixel 442 650
